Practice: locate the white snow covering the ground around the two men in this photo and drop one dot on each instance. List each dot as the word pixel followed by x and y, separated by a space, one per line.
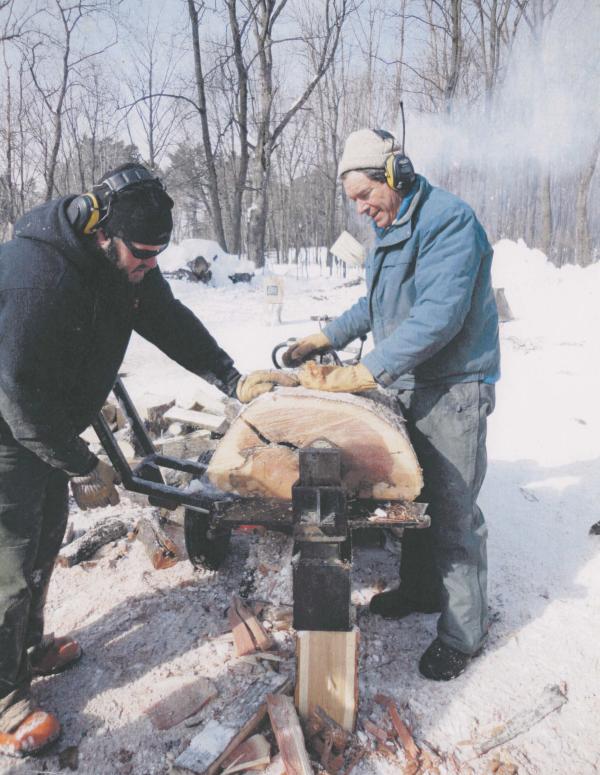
pixel 142 629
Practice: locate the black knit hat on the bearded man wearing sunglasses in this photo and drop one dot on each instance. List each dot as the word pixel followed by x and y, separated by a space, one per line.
pixel 140 212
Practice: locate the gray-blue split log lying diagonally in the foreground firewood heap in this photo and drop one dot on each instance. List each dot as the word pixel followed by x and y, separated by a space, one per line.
pixel 218 739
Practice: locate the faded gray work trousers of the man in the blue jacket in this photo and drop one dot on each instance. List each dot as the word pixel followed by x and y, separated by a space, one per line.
pixel 446 565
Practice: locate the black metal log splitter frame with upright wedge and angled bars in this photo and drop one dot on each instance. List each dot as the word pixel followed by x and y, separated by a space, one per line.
pixel 320 518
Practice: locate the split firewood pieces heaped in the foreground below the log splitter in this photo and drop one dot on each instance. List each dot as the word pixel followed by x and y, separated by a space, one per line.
pixel 261 730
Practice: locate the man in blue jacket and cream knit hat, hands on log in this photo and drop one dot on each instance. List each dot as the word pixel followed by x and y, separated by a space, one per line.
pixel 431 310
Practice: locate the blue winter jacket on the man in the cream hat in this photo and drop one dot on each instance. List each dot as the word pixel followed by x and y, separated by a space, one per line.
pixel 429 300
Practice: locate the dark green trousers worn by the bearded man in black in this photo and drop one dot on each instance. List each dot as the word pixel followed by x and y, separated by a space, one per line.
pixel 33 517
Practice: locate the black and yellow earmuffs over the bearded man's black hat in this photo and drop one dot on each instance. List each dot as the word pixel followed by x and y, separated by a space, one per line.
pixel 88 211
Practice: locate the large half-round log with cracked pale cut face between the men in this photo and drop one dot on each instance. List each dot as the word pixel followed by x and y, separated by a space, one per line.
pixel 259 453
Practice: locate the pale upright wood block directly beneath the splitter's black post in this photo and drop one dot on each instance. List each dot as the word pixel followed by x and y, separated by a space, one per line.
pixel 327 675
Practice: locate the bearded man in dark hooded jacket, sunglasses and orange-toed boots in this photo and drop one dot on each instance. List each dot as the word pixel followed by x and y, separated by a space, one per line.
pixel 79 275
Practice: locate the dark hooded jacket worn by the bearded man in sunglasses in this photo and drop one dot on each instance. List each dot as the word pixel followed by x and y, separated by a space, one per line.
pixel 66 317
